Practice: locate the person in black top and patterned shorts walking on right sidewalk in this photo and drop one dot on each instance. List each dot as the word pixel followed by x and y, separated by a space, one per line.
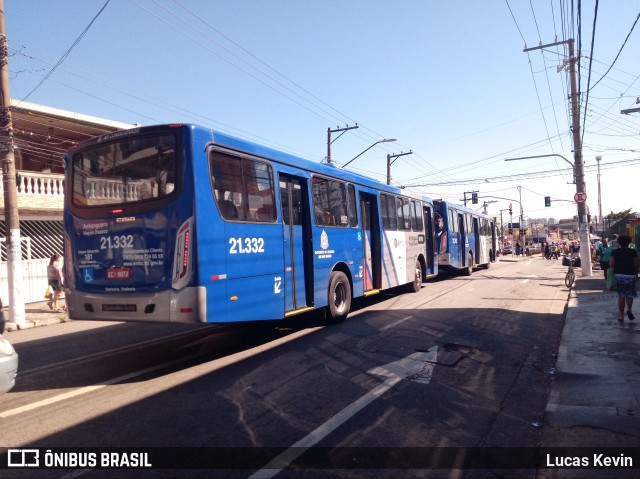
pixel 624 262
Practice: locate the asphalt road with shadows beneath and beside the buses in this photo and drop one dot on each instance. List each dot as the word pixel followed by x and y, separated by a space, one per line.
pixel 463 363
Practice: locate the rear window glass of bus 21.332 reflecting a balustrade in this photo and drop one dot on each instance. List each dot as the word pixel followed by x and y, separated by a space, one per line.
pixel 125 171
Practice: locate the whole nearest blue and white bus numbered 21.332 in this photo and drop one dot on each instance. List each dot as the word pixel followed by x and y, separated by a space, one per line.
pixel 179 223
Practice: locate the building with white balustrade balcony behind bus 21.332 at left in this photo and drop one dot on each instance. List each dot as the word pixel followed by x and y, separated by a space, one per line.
pixel 42 135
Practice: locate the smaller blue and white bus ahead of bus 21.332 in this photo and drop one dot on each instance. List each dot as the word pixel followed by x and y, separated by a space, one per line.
pixel 465 239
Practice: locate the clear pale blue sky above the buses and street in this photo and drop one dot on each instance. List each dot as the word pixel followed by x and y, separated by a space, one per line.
pixel 449 80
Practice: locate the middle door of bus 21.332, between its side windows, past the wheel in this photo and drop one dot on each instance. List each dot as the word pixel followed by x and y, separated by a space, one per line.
pixel 371 242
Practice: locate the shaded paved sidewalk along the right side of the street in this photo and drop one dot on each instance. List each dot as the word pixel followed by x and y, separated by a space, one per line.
pixel 595 395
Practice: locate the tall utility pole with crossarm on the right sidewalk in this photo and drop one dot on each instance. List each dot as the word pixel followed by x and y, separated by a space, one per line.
pixel 578 166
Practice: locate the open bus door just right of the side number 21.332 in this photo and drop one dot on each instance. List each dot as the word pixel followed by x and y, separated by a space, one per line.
pixel 297 250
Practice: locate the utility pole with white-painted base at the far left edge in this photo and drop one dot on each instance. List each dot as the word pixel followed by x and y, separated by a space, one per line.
pixel 8 161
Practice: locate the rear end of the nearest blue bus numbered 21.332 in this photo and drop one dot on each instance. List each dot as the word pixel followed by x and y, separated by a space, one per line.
pixel 129 227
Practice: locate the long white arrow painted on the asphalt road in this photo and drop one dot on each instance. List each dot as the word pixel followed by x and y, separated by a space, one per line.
pixel 415 367
